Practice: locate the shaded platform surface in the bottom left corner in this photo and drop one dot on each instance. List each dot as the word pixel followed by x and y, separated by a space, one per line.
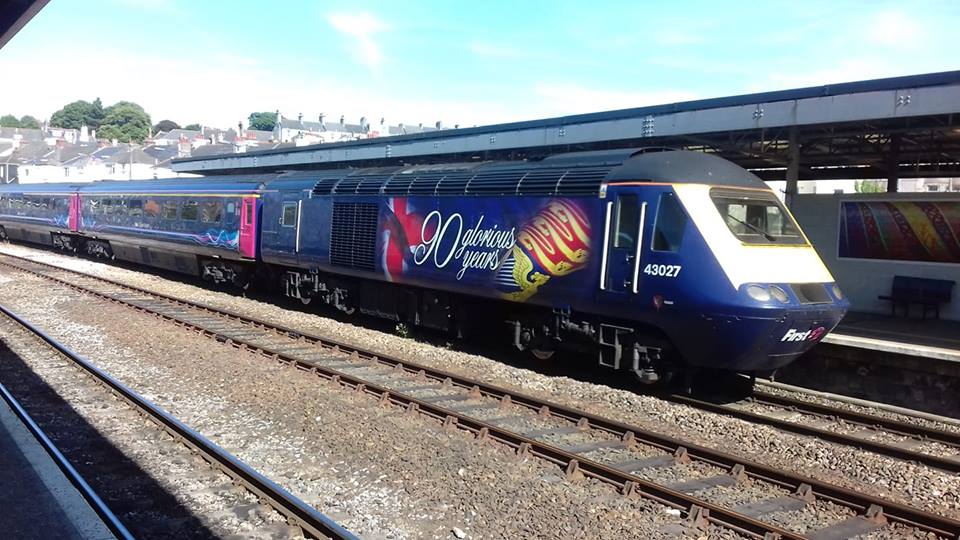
pixel 36 499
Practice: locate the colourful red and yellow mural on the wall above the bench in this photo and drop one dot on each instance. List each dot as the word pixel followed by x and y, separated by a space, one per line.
pixel 927 231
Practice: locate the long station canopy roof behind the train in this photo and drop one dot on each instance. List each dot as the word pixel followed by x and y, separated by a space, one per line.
pixel 898 127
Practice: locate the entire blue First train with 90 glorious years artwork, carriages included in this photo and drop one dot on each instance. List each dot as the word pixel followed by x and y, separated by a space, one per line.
pixel 652 262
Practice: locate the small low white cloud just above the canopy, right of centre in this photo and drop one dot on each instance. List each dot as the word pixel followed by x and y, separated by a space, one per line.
pixel 557 99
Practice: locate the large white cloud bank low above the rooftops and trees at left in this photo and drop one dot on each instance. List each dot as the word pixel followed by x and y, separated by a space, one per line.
pixel 220 89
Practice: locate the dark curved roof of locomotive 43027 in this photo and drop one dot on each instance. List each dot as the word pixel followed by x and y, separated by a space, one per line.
pixel 577 173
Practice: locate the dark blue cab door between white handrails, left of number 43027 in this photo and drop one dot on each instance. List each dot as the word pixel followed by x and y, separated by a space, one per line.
pixel 625 215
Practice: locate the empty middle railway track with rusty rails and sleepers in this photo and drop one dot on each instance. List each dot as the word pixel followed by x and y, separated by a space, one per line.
pixel 706 486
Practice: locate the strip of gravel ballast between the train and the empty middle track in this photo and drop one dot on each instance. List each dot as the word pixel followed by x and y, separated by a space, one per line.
pixel 927 488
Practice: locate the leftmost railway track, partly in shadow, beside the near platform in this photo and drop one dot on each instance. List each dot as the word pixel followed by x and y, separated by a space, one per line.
pixel 145 510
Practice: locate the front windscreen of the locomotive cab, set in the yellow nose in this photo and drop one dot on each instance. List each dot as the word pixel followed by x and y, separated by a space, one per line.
pixel 756 217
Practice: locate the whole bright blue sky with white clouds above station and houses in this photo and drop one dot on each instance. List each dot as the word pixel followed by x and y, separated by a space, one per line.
pixel 214 62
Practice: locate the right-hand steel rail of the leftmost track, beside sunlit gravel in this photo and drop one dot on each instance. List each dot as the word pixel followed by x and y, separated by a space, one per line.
pixel 297 512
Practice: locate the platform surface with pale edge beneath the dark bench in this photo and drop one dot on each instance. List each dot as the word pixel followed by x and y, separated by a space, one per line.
pixel 930 338
